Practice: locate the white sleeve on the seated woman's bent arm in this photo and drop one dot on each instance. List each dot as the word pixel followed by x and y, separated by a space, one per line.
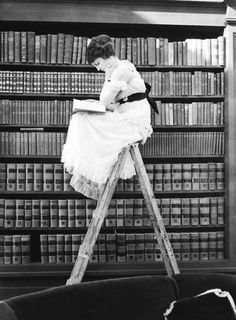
pixel 118 82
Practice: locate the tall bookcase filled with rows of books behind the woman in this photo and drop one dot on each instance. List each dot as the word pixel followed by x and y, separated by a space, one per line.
pixel 187 158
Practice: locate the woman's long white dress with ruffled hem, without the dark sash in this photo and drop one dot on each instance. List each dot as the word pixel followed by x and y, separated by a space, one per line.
pixel 95 140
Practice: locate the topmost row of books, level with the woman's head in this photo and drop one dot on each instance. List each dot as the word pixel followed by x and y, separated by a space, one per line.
pixel 62 48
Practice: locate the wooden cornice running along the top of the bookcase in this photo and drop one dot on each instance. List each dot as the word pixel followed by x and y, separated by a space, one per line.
pixel 132 12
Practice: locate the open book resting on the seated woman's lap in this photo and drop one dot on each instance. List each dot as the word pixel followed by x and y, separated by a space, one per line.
pixel 89 105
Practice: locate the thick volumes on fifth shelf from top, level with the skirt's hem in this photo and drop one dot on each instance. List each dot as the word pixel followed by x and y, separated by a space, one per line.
pixel 163 177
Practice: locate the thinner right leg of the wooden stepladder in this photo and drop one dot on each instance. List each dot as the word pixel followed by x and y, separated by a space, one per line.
pixel 159 228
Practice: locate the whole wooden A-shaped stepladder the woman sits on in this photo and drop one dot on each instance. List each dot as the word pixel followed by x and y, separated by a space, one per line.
pixel 99 214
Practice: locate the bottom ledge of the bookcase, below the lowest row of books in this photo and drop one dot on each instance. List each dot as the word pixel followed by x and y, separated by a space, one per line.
pixel 111 269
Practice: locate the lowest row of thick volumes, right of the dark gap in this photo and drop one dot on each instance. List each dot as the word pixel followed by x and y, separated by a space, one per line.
pixel 139 247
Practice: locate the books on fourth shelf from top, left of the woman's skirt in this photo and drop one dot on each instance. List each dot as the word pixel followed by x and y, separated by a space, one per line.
pixel 31 143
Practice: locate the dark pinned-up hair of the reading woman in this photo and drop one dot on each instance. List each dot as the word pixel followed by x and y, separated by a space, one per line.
pixel 100 47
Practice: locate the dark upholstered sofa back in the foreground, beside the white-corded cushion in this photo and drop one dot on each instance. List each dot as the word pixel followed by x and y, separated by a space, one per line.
pixel 136 298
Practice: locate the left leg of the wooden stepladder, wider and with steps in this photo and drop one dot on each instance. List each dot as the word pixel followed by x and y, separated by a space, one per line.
pixel 95 225
